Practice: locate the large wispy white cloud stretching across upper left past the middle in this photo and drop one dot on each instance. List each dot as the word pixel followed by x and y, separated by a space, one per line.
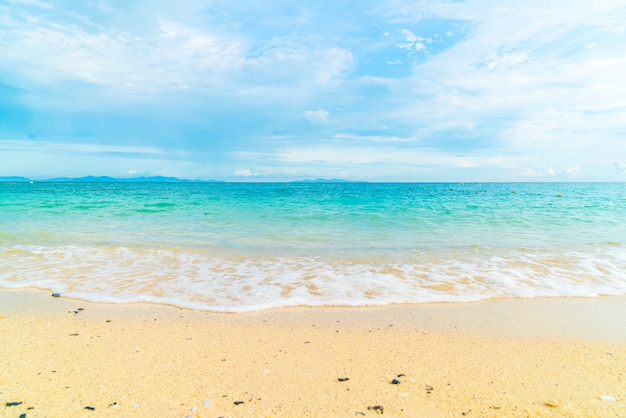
pixel 136 53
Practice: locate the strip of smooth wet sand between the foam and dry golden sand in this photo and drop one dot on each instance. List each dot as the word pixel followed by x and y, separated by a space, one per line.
pixel 600 318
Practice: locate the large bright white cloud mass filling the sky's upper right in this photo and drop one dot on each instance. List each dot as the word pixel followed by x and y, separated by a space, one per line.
pixel 524 77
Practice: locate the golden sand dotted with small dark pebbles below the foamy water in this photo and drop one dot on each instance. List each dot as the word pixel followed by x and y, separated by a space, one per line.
pixel 516 358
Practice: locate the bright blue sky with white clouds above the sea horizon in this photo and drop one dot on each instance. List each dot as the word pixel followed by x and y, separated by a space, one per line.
pixel 256 90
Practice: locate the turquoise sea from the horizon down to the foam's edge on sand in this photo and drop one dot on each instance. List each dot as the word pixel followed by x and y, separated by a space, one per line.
pixel 242 247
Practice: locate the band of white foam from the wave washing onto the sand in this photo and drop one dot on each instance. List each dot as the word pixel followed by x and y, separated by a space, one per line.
pixel 236 282
